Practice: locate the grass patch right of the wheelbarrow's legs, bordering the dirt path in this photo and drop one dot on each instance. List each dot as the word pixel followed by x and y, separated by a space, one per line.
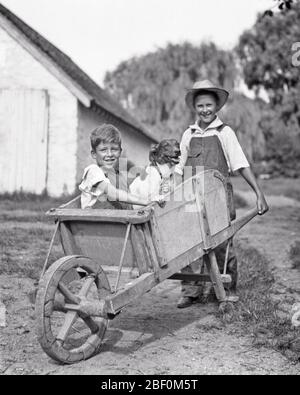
pixel 258 313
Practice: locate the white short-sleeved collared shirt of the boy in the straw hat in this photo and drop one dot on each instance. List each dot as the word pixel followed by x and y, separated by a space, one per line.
pixel 233 152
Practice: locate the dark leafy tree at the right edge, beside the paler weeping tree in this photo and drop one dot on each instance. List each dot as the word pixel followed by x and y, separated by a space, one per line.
pixel 265 53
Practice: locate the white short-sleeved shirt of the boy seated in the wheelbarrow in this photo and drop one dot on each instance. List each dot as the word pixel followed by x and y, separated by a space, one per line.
pixel 93 175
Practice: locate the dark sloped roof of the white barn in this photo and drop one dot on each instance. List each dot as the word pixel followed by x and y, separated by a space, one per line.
pixel 100 97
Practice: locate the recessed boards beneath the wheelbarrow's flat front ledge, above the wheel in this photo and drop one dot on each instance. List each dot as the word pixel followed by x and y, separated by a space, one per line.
pixel 104 243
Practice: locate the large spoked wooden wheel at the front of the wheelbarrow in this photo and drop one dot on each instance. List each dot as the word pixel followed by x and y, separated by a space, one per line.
pixel 65 334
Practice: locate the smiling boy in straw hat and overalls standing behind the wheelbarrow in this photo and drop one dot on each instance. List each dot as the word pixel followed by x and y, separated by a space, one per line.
pixel 210 144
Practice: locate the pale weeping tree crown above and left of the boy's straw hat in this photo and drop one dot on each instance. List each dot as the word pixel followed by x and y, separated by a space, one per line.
pixel 152 87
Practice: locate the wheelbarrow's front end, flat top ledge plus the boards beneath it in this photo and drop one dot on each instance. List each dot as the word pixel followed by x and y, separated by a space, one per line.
pixel 99 234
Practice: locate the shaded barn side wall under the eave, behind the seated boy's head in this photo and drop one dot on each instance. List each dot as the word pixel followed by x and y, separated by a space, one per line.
pixel 135 145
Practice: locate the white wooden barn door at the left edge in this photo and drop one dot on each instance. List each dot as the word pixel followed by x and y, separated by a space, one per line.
pixel 23 140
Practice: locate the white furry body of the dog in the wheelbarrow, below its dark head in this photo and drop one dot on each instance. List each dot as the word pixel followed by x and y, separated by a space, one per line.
pixel 152 184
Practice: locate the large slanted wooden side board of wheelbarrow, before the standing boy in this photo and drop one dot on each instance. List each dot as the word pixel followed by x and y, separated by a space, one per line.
pixel 196 212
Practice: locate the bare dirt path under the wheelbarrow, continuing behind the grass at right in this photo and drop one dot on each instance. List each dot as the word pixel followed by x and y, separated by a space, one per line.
pixel 152 336
